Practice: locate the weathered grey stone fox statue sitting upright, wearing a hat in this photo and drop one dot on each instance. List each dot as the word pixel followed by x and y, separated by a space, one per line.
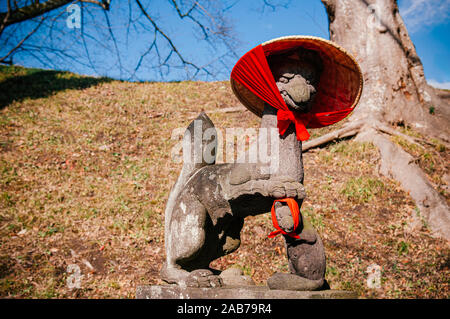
pixel 207 206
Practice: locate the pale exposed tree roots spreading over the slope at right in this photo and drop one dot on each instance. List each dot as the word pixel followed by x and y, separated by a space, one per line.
pixel 399 165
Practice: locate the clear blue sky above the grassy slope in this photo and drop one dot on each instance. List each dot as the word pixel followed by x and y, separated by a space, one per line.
pixel 428 23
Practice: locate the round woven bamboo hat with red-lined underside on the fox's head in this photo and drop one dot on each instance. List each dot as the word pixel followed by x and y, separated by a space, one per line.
pixel 338 91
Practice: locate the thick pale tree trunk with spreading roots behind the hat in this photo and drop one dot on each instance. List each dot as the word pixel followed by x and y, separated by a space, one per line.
pixel 395 92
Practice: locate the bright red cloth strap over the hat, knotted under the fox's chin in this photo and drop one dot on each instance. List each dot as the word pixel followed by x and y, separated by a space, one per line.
pixel 253 72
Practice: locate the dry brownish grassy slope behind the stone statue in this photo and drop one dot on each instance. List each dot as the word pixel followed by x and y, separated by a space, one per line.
pixel 85 171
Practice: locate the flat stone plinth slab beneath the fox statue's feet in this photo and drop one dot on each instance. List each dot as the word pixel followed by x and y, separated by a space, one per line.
pixel 252 292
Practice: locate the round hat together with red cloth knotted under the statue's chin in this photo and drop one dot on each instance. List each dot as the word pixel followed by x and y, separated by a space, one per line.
pixel 338 91
